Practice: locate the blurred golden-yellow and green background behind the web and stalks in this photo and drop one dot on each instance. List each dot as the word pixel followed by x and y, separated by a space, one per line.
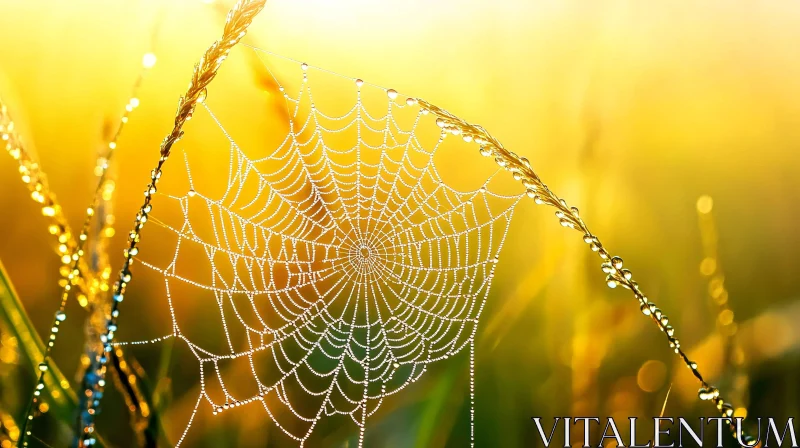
pixel 630 110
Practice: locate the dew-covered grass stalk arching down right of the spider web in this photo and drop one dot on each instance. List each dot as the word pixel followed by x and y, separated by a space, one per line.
pixel 569 216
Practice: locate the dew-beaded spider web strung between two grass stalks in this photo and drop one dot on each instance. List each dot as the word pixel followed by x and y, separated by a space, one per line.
pixel 338 262
